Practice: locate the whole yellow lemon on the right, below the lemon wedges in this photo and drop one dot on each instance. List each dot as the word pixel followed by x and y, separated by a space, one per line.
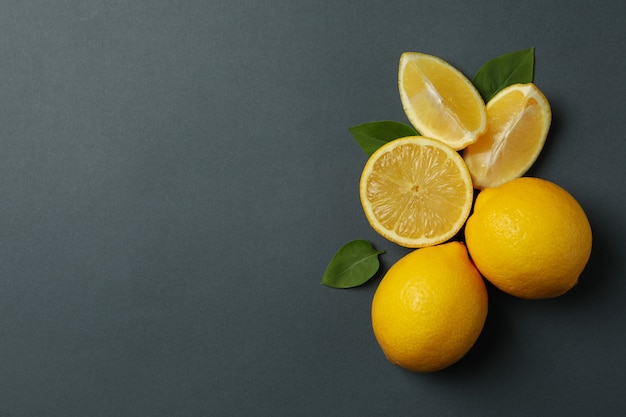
pixel 529 237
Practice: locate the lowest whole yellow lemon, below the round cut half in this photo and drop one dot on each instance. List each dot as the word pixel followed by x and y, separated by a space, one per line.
pixel 430 308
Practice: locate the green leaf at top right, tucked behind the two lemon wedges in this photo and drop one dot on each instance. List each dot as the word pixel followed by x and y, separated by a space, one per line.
pixel 498 73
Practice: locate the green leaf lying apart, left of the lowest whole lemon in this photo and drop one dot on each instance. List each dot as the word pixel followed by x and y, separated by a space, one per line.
pixel 353 265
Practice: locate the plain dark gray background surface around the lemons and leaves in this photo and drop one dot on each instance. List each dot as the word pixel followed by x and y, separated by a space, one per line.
pixel 175 176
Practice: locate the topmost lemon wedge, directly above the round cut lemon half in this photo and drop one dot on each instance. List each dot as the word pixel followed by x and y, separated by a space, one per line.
pixel 439 101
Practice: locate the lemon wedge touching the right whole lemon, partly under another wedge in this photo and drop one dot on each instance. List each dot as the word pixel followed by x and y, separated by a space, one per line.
pixel 518 120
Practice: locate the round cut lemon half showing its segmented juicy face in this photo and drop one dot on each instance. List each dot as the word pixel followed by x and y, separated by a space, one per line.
pixel 416 191
